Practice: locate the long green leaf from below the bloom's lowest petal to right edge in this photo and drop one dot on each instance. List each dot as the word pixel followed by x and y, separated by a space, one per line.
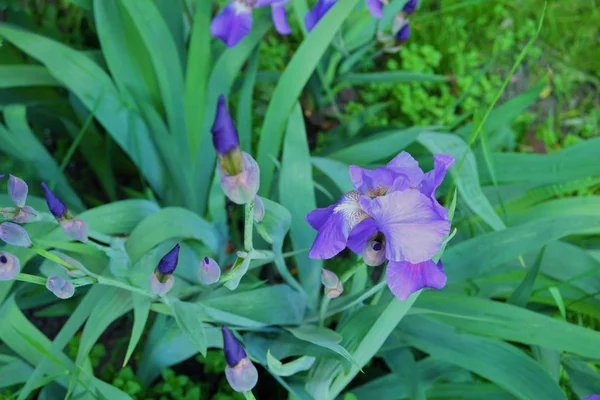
pixel 504 321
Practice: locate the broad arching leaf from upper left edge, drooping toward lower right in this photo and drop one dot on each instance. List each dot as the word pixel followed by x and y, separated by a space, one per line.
pixel 95 89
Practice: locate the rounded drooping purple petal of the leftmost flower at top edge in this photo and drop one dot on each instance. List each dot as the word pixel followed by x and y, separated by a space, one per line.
pixel 232 24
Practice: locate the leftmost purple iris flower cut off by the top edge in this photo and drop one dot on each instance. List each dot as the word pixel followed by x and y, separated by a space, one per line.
pixel 235 21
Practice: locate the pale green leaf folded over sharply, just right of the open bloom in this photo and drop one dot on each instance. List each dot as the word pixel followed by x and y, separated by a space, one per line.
pixel 468 180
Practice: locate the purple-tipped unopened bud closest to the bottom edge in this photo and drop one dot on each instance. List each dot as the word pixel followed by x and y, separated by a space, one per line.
pixel 240 372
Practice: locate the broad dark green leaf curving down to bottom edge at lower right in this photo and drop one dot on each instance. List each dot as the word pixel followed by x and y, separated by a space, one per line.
pixel 494 360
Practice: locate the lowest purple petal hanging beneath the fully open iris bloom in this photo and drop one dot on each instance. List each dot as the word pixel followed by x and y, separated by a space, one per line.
pixel 404 278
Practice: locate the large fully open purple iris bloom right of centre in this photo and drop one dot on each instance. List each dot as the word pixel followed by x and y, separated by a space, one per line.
pixel 391 215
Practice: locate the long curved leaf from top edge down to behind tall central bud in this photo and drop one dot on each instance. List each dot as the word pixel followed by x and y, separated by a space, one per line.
pixel 287 91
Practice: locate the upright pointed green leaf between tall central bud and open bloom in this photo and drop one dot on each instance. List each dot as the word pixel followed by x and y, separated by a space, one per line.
pixel 297 194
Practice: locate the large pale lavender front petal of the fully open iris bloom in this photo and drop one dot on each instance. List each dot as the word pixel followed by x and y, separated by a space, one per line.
pixel 412 228
